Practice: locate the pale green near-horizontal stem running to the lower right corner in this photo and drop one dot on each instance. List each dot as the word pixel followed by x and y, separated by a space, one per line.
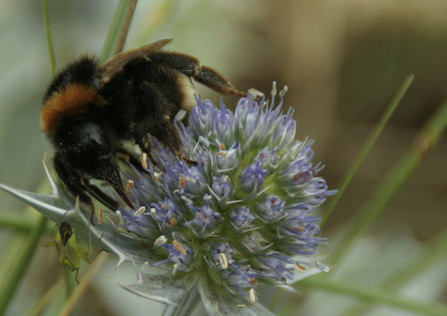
pixel 378 295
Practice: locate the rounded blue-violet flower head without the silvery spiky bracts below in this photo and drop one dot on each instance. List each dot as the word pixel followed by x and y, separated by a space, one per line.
pixel 243 214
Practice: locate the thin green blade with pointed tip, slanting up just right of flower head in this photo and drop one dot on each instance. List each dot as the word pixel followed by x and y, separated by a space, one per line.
pixel 368 145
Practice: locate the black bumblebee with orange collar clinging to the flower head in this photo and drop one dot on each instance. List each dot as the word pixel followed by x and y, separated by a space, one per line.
pixel 90 109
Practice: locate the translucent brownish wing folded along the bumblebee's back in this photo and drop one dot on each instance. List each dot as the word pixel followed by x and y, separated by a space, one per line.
pixel 108 69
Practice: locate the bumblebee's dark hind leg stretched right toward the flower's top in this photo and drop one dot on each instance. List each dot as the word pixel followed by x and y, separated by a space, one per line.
pixel 191 67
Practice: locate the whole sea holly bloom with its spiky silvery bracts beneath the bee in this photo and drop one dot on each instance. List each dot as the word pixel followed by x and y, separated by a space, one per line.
pixel 242 216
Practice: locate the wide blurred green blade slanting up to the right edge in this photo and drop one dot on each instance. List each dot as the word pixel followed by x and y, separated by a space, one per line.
pixel 395 180
